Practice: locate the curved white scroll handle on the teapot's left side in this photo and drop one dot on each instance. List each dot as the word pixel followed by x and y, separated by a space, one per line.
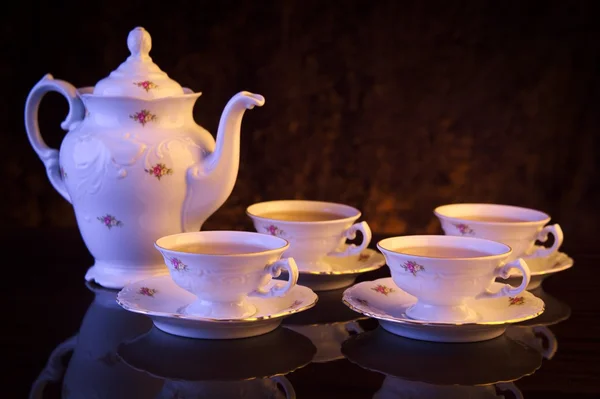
pixel 49 156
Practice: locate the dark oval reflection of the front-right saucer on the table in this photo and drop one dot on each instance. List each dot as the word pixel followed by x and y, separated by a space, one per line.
pixel 488 362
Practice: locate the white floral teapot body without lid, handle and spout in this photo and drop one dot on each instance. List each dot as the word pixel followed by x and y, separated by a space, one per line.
pixel 124 169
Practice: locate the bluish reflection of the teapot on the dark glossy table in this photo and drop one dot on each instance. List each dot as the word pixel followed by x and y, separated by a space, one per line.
pixel 94 370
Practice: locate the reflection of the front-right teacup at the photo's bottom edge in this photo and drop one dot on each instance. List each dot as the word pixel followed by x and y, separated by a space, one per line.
pixel 393 388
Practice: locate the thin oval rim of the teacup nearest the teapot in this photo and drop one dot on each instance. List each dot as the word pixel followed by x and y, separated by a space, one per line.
pixel 231 233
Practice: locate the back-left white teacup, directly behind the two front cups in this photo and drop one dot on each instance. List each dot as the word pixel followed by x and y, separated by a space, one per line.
pixel 314 229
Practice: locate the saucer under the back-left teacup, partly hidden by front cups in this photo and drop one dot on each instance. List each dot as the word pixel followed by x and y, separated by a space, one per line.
pixel 341 272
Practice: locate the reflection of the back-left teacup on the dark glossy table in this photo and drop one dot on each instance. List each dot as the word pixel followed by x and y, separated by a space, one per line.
pixel 328 338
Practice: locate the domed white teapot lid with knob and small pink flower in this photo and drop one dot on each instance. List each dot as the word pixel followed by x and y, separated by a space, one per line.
pixel 138 76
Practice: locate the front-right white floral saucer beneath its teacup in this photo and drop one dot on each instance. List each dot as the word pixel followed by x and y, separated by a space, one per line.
pixel 383 300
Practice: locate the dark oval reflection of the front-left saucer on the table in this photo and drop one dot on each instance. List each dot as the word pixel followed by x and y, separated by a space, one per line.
pixel 176 358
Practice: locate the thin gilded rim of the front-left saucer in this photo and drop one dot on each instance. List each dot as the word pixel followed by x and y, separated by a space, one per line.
pixel 151 313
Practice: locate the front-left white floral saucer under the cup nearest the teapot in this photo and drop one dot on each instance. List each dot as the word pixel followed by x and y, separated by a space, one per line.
pixel 165 302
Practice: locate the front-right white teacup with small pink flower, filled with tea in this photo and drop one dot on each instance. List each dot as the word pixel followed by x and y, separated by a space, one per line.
pixel 442 272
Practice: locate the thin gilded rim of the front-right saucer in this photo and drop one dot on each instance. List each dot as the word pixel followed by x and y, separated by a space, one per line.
pixel 407 320
